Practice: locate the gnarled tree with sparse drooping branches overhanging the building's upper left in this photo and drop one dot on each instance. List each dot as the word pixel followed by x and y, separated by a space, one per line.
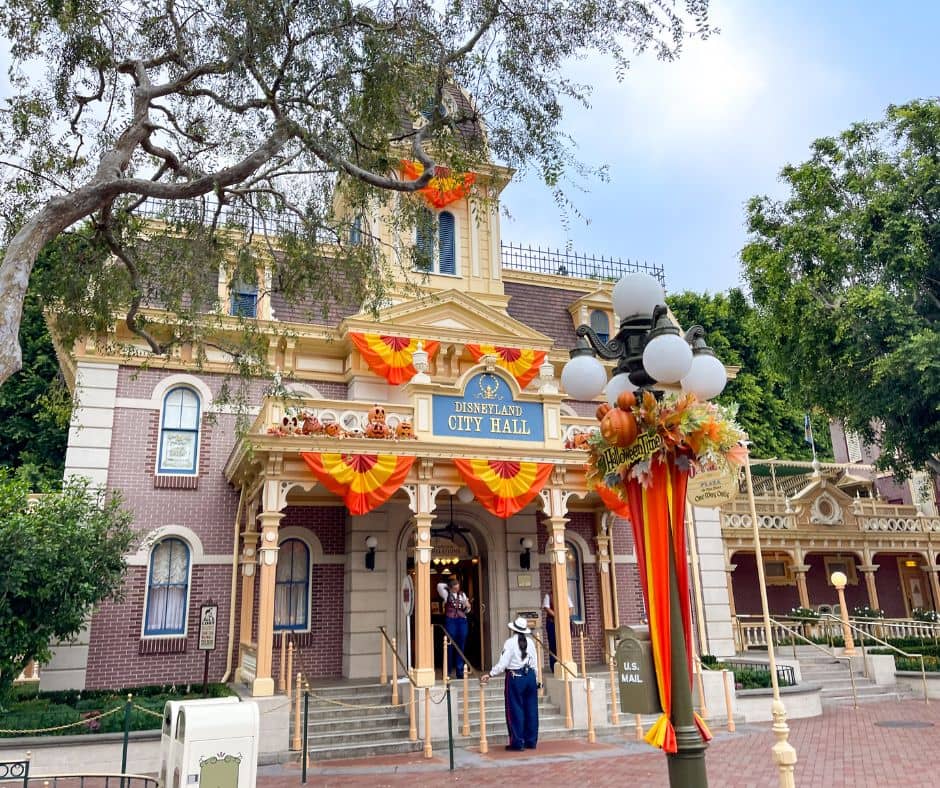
pixel 273 117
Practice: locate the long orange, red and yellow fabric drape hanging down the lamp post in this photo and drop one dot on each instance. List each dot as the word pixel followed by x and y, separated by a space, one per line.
pixel 657 512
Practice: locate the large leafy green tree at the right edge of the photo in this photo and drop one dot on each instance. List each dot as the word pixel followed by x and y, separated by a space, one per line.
pixel 845 272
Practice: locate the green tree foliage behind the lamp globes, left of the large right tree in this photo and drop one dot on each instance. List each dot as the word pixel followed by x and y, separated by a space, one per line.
pixel 768 410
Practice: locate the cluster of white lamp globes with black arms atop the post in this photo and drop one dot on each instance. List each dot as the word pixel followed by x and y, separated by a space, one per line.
pixel 647 338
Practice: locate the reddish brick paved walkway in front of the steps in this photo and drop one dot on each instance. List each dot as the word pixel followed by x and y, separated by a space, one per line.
pixel 883 744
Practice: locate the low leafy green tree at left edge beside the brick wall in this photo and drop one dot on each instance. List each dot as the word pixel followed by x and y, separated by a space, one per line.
pixel 60 555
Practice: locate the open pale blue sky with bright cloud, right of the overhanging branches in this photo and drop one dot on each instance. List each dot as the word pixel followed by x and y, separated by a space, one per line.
pixel 689 142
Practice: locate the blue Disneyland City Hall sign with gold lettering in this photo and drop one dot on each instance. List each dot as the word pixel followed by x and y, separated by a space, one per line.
pixel 487 410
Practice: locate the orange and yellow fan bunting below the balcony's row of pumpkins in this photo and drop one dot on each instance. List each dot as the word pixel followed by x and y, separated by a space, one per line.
pixel 363 481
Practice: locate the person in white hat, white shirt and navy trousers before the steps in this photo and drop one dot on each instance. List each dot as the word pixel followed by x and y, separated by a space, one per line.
pixel 519 663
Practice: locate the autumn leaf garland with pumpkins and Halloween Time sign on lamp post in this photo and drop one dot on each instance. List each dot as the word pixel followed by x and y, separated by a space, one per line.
pixel 635 433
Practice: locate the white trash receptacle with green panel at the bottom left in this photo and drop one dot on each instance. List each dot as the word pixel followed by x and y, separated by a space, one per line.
pixel 216 746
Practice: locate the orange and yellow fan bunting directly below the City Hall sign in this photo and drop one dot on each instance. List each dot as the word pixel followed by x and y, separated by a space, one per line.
pixel 504 487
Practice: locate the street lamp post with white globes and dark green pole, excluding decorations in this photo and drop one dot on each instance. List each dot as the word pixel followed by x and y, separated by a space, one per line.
pixel 649 349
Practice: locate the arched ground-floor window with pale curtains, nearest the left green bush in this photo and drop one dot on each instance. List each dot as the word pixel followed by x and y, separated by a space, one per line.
pixel 167 588
